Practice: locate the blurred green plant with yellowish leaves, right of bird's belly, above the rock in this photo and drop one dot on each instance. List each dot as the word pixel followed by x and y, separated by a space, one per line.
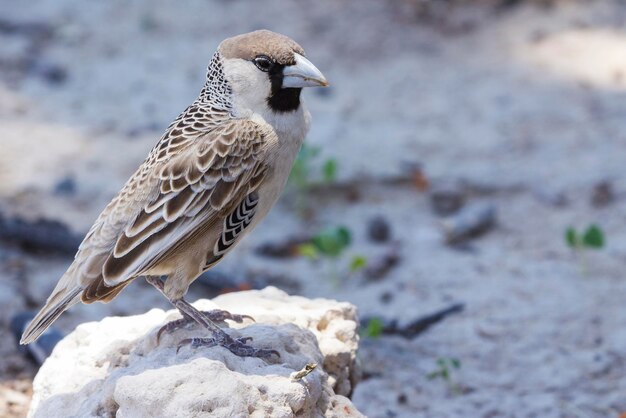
pixel 330 244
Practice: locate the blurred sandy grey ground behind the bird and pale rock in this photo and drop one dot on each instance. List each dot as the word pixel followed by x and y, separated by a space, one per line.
pixel 463 184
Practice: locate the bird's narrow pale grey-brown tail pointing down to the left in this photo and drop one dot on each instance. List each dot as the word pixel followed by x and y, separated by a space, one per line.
pixel 61 299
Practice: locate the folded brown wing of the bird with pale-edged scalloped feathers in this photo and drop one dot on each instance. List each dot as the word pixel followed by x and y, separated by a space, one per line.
pixel 193 193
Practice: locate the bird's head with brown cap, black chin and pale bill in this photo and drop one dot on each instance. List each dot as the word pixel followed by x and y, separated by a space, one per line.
pixel 267 71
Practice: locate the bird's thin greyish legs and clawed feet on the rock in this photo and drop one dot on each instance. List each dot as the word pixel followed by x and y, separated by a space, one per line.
pixel 218 336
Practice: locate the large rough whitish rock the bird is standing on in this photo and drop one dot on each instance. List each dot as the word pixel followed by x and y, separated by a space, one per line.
pixel 115 368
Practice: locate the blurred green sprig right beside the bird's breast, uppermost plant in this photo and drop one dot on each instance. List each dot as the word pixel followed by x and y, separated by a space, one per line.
pixel 307 173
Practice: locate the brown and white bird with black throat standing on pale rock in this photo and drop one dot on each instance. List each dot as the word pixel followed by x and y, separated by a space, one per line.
pixel 211 178
